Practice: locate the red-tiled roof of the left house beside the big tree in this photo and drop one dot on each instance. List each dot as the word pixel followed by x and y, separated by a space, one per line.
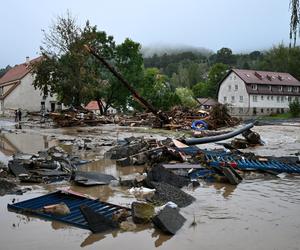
pixel 17 72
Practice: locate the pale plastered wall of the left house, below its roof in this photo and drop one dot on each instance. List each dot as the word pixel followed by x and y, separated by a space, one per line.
pixel 26 97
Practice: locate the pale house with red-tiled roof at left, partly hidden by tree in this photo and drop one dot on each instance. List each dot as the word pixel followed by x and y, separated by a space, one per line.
pixel 17 91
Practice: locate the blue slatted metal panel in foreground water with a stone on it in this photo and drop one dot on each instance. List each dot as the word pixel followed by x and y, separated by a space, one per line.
pixel 34 206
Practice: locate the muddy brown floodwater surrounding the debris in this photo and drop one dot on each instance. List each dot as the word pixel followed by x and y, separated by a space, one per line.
pixel 260 213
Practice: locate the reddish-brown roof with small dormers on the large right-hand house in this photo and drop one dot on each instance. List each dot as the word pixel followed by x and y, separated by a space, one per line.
pixel 266 77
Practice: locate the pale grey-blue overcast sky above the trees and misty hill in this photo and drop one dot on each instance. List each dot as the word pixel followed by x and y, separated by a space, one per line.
pixel 242 25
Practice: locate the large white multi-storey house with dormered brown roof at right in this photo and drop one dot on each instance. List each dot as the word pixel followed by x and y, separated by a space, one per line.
pixel 254 93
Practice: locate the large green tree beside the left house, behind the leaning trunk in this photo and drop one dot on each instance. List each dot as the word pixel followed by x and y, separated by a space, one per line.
pixel 77 77
